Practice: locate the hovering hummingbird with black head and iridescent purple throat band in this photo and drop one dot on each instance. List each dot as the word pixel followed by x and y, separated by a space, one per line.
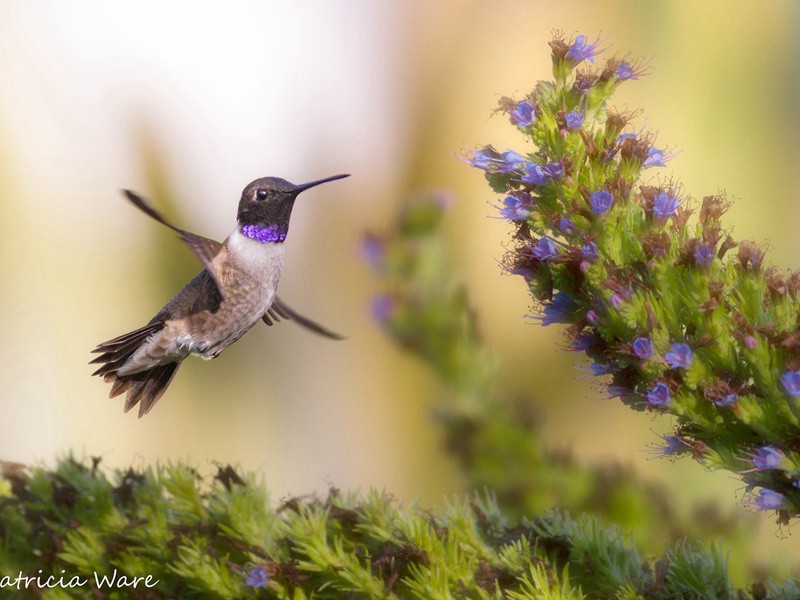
pixel 232 293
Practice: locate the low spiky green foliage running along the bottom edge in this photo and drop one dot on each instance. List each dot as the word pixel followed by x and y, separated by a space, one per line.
pixel 201 538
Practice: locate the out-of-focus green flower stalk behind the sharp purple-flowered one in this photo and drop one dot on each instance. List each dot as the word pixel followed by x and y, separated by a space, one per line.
pixel 496 437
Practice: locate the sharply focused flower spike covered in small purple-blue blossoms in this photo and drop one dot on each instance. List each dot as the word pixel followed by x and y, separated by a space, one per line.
pixel 681 318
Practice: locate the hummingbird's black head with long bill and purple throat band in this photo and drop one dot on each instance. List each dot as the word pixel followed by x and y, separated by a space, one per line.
pixel 266 206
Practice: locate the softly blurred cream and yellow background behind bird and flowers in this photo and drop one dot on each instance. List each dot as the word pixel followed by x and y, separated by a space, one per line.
pixel 188 106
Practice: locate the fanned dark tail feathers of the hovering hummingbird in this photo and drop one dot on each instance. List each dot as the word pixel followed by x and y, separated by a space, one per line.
pixel 143 388
